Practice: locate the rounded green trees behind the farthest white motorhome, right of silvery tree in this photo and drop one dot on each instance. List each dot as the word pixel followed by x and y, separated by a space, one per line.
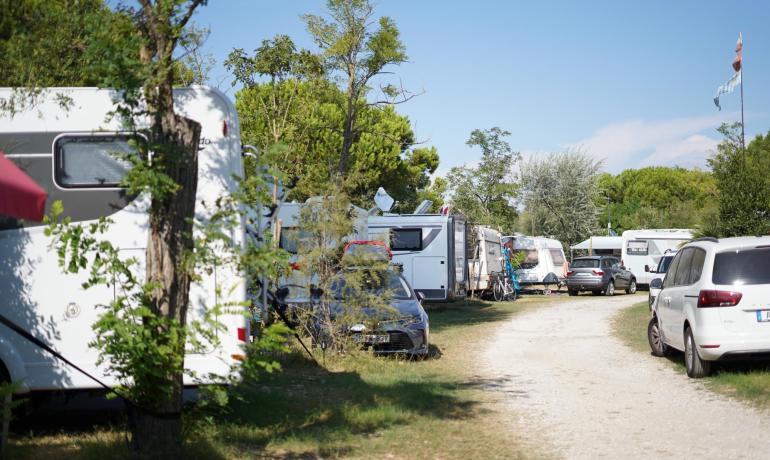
pixel 656 197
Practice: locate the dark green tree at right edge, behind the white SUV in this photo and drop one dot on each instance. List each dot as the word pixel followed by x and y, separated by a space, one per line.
pixel 743 183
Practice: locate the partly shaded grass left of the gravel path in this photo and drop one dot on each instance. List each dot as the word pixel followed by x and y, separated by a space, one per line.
pixel 354 407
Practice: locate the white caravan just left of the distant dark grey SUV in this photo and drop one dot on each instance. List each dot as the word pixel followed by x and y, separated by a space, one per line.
pixel 542 259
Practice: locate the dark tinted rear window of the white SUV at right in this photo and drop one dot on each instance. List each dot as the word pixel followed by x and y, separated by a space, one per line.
pixel 744 266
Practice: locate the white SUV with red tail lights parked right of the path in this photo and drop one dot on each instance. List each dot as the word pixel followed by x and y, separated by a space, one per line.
pixel 714 303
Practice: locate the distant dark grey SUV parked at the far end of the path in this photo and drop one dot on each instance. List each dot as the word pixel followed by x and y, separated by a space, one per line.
pixel 599 274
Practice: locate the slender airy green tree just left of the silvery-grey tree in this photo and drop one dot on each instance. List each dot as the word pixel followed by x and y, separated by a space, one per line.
pixel 485 194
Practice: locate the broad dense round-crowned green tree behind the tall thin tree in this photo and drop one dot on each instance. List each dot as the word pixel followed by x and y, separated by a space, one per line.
pixel 382 155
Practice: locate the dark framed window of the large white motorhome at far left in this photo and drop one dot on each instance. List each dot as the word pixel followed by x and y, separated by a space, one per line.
pixel 92 161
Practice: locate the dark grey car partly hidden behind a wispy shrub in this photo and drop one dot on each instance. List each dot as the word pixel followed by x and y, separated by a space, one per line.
pixel 403 328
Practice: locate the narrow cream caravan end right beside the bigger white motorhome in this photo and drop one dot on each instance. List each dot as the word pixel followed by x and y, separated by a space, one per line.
pixel 485 257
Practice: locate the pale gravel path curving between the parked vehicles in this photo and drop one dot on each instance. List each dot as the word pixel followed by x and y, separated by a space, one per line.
pixel 589 396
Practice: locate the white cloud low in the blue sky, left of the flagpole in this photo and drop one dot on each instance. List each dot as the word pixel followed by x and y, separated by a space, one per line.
pixel 637 143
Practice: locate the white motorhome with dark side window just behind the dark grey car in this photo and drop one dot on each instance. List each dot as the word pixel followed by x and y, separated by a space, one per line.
pixel 430 247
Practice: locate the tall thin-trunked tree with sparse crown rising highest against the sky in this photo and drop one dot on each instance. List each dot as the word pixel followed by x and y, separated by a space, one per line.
pixel 352 49
